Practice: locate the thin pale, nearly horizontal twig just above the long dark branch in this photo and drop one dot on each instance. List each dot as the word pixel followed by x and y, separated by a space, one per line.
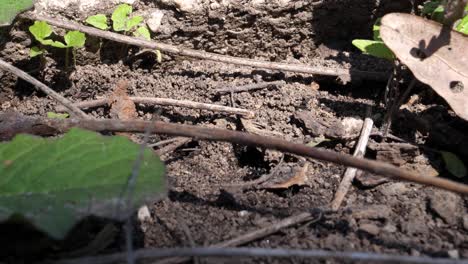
pixel 170 102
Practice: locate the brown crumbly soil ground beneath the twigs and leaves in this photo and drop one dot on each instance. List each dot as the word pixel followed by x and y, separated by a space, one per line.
pixel 203 207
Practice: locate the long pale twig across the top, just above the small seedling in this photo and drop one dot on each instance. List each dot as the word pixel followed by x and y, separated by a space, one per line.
pixel 318 70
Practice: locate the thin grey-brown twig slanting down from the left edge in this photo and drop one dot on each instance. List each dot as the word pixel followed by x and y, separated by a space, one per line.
pixel 42 87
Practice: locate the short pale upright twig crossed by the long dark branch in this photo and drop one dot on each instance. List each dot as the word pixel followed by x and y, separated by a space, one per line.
pixel 350 173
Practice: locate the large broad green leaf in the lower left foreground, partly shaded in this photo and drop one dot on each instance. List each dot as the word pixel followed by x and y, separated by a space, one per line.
pixel 54 183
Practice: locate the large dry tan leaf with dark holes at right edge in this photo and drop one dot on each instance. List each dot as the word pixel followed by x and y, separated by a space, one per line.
pixel 436 55
